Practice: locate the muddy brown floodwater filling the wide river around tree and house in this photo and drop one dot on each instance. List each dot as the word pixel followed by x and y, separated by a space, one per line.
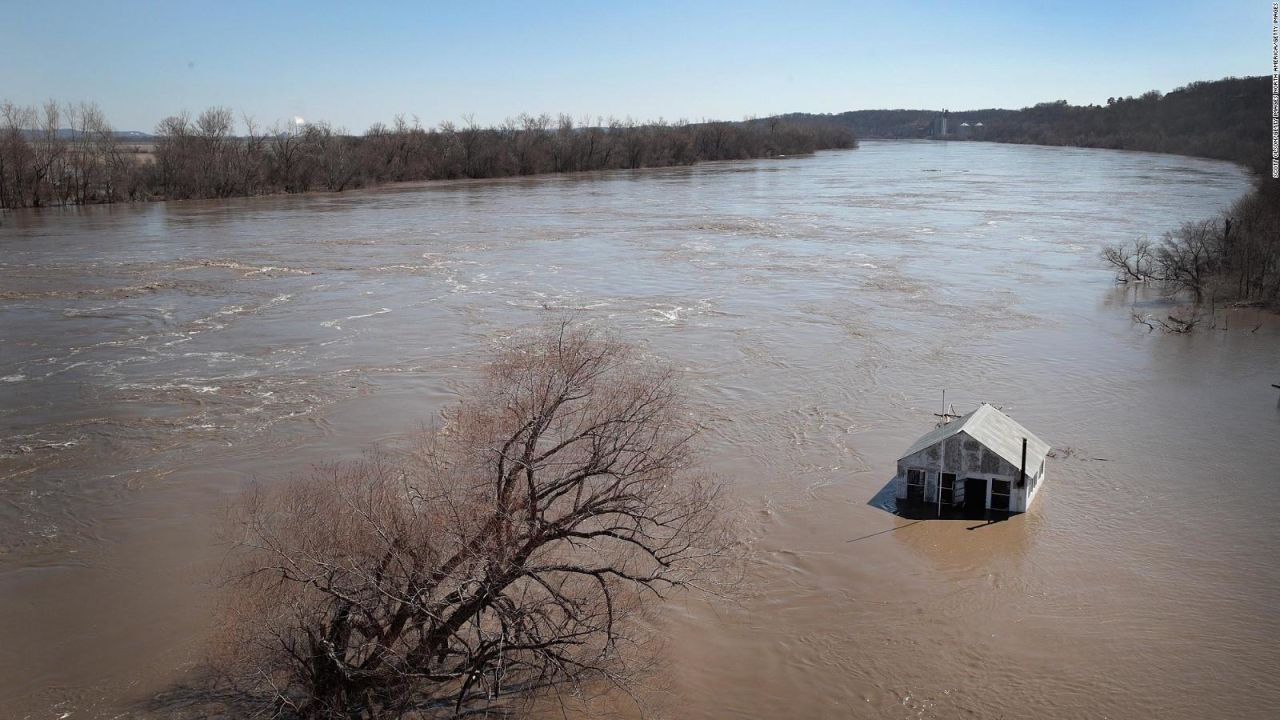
pixel 157 358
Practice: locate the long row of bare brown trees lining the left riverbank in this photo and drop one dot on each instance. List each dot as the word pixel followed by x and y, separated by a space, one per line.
pixel 71 156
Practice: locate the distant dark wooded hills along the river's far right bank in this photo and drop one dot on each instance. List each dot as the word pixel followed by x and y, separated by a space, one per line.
pixel 1227 120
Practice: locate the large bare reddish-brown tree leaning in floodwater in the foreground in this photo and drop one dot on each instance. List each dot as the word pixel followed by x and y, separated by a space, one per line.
pixel 509 555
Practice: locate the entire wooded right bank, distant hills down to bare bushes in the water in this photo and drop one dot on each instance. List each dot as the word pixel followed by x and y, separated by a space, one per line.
pixel 1232 259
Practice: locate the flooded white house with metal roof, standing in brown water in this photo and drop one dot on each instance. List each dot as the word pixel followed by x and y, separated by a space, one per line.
pixel 980 462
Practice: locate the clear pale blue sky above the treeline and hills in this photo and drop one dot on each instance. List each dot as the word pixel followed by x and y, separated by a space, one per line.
pixel 354 65
